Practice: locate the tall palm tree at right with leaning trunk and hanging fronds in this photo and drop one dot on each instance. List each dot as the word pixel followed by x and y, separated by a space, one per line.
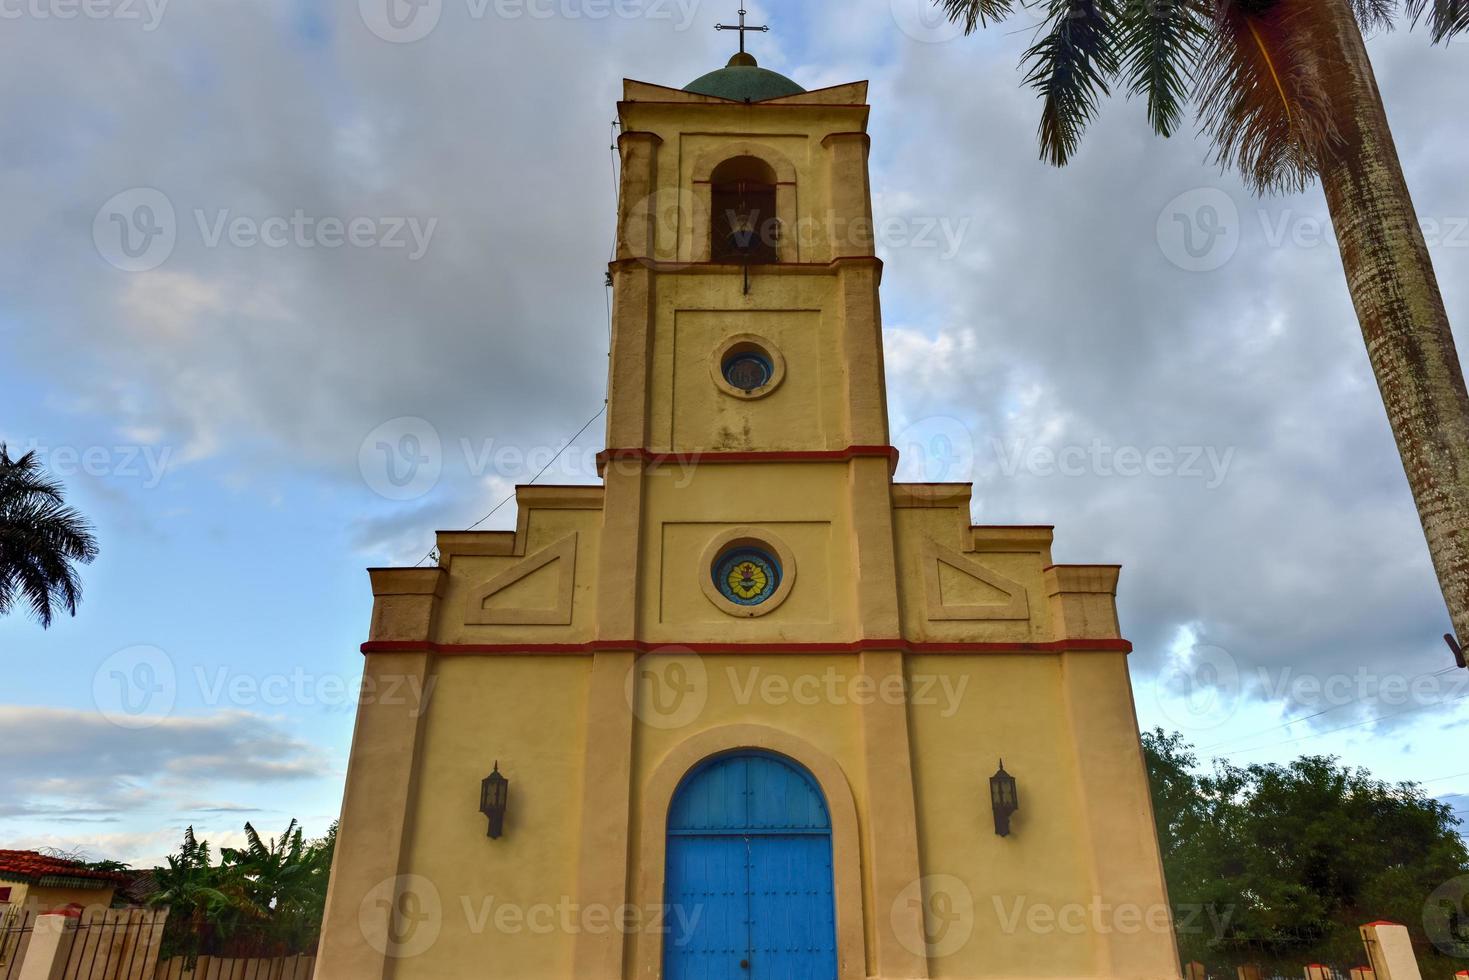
pixel 1286 93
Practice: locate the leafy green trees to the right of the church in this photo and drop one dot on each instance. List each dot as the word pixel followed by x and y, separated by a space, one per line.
pixel 1282 865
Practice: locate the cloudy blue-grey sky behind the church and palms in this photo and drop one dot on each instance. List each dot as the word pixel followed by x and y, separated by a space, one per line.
pixel 246 240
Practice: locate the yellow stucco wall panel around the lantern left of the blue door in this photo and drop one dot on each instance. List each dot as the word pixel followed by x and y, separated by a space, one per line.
pixel 531 712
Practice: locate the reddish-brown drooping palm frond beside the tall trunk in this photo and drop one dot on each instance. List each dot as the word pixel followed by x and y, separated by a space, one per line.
pixel 1263 93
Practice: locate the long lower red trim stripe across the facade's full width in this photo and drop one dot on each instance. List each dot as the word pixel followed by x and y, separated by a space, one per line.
pixel 644 647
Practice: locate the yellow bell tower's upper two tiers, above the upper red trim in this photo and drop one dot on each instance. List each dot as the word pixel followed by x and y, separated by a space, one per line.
pixel 747 315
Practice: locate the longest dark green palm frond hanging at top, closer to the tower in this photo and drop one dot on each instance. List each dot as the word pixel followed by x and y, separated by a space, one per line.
pixel 1070 67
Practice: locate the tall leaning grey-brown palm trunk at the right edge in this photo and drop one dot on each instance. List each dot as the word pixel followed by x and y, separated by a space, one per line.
pixel 1402 314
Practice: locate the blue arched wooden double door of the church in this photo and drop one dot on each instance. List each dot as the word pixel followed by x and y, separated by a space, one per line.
pixel 750 875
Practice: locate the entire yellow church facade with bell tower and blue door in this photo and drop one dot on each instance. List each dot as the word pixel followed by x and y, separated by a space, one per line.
pixel 741 710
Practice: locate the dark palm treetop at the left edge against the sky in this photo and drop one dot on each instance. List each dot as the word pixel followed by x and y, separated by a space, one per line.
pixel 42 540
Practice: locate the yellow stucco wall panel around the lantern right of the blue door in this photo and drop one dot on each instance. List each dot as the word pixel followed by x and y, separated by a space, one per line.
pixel 1011 707
